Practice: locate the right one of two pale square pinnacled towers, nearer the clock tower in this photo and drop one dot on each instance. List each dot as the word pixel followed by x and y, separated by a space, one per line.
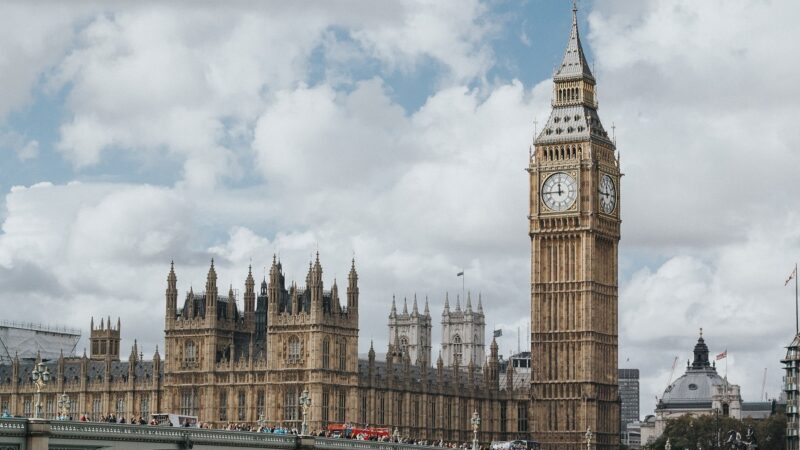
pixel 463 333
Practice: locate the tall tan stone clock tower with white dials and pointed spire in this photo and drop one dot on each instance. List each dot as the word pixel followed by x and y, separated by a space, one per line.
pixel 574 230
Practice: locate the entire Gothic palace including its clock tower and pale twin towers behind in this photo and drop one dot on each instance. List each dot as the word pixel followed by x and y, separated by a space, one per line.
pixel 226 364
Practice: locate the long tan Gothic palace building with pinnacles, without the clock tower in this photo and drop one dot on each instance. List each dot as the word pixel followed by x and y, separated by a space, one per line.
pixel 219 366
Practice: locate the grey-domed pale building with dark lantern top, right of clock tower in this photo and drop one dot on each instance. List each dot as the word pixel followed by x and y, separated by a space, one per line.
pixel 700 390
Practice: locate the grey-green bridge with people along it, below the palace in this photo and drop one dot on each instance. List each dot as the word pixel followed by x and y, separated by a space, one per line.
pixel 32 434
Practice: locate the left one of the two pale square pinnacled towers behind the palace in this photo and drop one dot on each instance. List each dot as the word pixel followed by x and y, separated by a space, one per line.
pixel 412 332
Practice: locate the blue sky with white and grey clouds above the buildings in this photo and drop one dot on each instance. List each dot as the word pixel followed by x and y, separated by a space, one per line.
pixel 396 133
